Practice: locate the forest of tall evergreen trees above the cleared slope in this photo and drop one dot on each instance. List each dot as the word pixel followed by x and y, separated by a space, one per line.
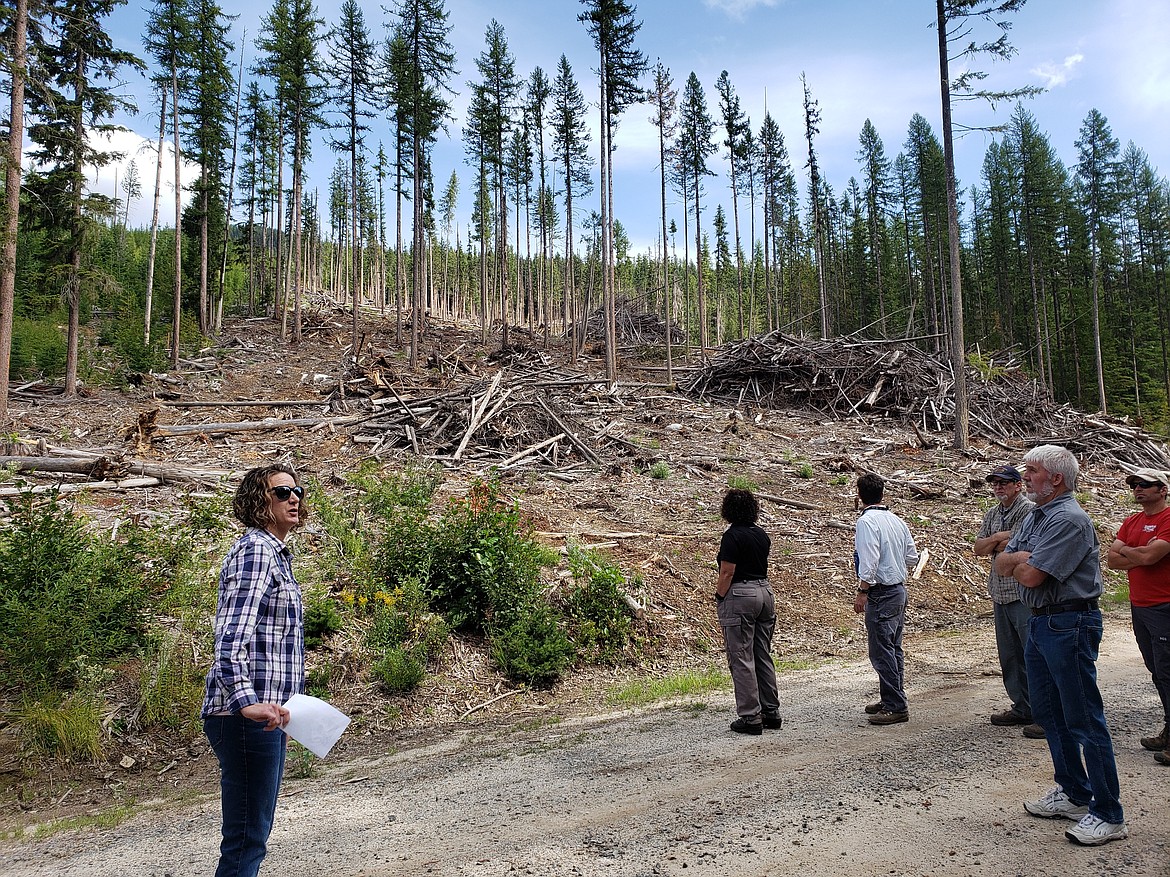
pixel 1063 268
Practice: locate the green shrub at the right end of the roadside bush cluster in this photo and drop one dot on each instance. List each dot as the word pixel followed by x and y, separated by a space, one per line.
pixel 597 612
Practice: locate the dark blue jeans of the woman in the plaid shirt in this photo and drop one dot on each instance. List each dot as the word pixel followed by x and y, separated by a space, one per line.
pixel 252 763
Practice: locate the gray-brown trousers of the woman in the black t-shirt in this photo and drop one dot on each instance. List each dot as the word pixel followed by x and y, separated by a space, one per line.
pixel 748 618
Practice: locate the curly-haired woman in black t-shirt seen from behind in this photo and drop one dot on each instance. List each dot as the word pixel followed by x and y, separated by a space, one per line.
pixel 747 611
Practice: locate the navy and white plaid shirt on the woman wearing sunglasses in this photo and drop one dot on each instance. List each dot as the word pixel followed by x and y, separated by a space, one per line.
pixel 259 629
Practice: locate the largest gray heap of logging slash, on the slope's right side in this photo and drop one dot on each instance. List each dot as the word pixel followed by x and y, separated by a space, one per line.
pixel 852 377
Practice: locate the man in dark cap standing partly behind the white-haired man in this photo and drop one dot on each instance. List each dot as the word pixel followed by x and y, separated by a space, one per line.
pixel 1011 616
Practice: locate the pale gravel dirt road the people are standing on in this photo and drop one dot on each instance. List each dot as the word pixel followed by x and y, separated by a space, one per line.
pixel 671 792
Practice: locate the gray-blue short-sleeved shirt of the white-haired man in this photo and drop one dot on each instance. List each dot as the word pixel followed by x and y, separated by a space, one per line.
pixel 1064 544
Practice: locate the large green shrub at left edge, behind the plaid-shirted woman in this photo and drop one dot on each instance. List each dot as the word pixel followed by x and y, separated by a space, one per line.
pixel 65 593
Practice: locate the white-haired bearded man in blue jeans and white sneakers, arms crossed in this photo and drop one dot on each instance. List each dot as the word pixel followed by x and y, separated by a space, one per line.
pixel 1056 558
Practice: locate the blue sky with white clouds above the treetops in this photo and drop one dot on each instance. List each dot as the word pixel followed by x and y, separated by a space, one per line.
pixel 863 59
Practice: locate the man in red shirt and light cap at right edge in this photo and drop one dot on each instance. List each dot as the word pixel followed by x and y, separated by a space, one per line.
pixel 1143 549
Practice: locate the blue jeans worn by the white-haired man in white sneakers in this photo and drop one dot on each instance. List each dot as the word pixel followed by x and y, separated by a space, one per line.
pixel 1062 673
